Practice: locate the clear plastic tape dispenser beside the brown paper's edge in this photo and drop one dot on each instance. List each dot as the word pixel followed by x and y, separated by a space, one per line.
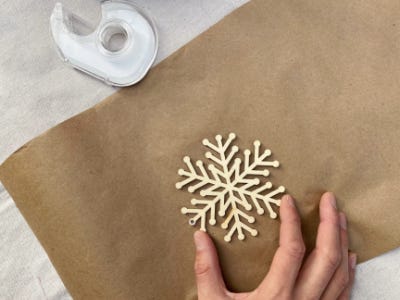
pixel 119 51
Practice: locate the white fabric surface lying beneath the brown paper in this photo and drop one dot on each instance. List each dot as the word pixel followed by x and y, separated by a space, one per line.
pixel 37 92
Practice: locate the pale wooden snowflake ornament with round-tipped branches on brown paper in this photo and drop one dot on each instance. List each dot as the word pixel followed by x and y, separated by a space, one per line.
pixel 231 186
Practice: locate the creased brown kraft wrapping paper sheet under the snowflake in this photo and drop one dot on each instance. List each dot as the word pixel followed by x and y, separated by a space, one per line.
pixel 315 82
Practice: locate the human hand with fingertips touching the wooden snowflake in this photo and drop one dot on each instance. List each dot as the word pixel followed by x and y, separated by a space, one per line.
pixel 327 273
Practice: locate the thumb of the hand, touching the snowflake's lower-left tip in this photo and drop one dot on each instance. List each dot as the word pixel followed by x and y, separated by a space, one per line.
pixel 210 284
